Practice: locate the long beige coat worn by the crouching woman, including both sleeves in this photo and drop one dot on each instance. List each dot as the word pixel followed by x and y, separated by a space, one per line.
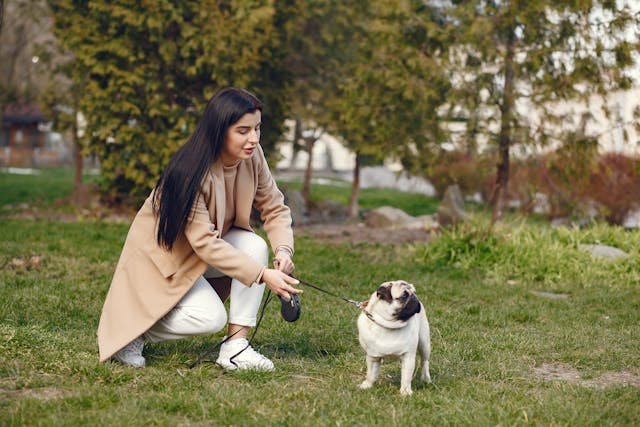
pixel 149 281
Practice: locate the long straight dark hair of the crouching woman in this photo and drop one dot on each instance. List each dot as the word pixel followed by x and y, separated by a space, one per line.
pixel 178 186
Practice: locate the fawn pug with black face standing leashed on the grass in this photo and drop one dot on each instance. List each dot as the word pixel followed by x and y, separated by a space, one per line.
pixel 393 322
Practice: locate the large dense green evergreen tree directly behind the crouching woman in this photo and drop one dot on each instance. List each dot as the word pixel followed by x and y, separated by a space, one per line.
pixel 148 69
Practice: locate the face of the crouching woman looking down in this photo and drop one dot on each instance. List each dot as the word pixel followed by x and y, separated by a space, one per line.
pixel 242 138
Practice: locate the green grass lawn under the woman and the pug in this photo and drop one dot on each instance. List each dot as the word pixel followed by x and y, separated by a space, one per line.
pixel 488 331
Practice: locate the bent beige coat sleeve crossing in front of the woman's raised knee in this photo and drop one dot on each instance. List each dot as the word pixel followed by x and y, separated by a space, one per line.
pixel 205 240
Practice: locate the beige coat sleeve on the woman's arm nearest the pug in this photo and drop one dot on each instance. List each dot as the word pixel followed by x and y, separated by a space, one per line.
pixel 269 201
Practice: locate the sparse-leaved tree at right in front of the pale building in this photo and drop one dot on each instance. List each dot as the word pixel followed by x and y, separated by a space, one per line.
pixel 513 60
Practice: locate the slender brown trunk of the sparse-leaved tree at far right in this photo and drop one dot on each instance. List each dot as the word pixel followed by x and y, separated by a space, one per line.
pixel 508 102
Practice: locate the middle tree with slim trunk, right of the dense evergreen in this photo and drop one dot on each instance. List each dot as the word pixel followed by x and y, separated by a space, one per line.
pixel 391 86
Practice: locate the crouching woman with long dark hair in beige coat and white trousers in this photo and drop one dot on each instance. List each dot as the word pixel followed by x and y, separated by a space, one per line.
pixel 190 245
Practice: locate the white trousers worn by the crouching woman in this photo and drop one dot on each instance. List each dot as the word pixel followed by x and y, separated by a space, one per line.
pixel 201 312
